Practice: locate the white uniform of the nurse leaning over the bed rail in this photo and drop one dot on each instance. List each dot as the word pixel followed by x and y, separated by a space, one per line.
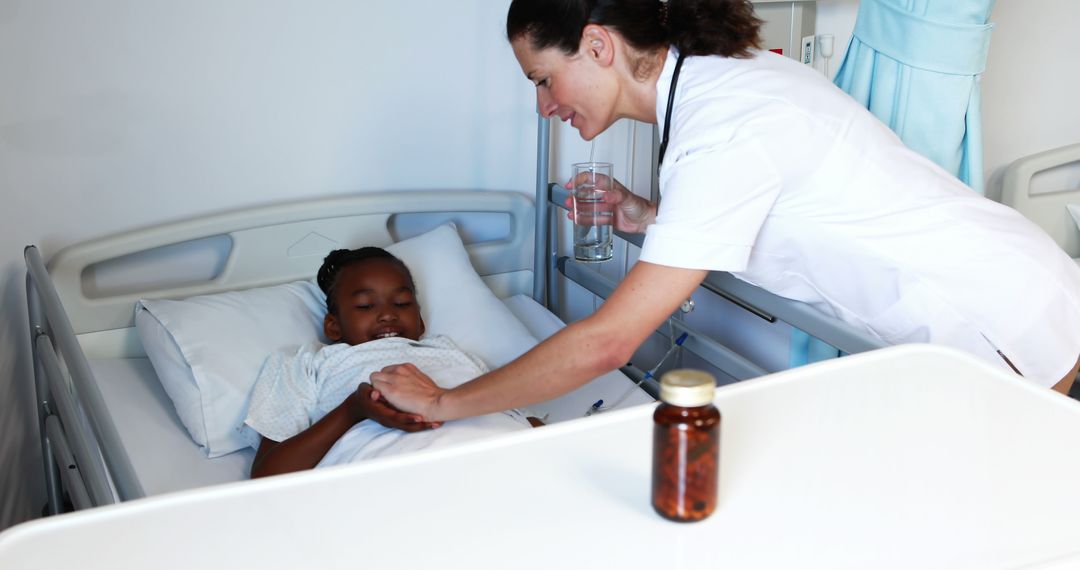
pixel 776 175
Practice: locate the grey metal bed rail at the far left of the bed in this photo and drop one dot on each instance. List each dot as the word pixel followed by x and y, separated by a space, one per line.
pixel 84 460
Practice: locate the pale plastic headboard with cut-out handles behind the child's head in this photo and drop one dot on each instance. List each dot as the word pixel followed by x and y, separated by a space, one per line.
pixel 287 242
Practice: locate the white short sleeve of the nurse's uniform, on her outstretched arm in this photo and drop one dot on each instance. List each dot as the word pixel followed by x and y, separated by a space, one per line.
pixel 714 203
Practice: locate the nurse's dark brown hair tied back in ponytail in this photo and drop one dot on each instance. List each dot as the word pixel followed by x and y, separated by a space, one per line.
pixel 696 28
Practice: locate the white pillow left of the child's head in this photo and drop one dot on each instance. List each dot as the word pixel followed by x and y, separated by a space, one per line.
pixel 207 350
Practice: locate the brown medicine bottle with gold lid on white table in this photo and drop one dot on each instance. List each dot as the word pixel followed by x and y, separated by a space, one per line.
pixel 686 447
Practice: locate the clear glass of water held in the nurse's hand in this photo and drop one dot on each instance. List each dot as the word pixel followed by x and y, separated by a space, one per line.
pixel 592 215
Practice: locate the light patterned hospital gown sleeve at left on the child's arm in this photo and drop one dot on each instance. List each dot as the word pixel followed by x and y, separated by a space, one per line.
pixel 286 395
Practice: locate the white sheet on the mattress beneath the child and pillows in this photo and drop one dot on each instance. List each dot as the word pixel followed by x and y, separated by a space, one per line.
pixel 166 459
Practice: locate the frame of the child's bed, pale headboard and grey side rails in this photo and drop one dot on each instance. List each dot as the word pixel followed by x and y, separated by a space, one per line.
pixel 275 245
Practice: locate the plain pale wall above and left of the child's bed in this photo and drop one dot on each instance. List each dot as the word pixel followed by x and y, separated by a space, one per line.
pixel 121 114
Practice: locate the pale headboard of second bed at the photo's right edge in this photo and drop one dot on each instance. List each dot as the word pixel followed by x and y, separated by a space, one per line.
pixel 1047 210
